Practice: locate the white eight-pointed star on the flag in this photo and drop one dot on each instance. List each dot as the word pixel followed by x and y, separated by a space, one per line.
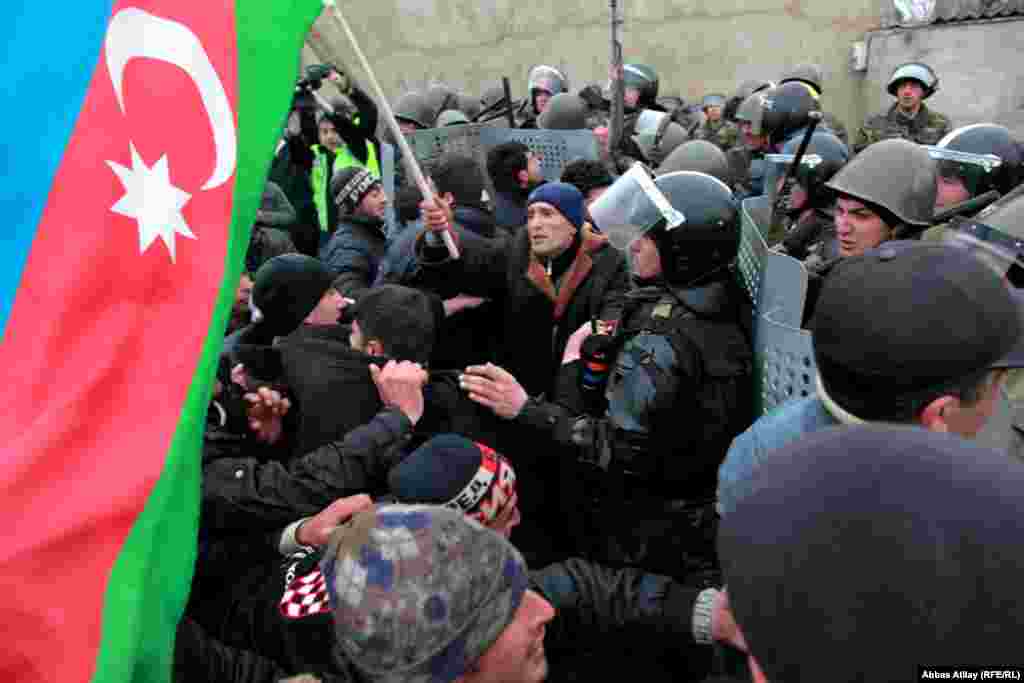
pixel 152 201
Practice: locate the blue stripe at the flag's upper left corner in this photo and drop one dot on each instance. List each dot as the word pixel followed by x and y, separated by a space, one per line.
pixel 52 51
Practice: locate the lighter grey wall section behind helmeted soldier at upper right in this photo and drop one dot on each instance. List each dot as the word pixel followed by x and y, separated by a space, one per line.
pixel 980 66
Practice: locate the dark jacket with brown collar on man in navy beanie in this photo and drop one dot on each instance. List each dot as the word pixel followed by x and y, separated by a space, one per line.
pixel 539 316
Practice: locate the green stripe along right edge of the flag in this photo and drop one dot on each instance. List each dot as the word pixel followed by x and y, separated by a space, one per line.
pixel 151 580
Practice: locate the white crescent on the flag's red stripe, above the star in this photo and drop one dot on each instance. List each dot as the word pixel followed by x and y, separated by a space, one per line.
pixel 135 33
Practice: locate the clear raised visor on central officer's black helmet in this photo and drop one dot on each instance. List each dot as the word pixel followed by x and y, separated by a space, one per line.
pixel 632 207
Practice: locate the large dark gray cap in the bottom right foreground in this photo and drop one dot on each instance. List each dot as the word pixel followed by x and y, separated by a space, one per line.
pixel 866 552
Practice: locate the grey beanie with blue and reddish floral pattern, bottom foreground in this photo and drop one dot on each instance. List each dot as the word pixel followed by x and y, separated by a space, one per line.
pixel 420 593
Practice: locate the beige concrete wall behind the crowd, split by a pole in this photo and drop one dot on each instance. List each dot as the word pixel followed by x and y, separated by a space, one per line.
pixel 698 47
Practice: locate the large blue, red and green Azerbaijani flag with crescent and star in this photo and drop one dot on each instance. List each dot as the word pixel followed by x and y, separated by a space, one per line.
pixel 138 137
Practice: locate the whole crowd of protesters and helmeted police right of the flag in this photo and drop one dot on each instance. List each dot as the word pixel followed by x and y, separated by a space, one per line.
pixel 536 456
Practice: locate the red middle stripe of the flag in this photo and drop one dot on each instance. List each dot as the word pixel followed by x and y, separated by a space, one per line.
pixel 103 341
